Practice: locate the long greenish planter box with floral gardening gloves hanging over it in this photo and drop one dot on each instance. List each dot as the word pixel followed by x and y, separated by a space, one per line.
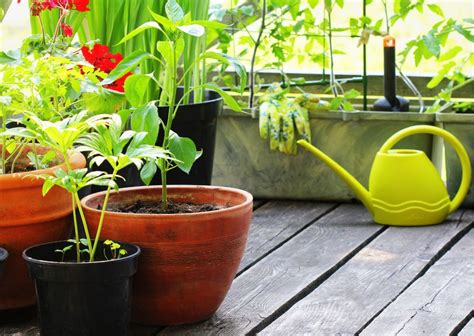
pixel 244 160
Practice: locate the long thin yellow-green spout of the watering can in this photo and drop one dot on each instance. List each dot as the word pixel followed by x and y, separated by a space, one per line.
pixel 361 192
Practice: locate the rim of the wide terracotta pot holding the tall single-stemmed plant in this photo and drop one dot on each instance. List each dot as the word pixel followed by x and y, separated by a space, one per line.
pixel 248 200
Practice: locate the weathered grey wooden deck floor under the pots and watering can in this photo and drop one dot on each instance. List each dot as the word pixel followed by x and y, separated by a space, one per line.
pixel 327 269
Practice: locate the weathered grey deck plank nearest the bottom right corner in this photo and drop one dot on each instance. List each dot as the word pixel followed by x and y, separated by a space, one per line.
pixel 437 301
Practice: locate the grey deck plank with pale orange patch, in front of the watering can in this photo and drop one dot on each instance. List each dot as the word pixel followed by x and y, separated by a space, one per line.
pixel 369 281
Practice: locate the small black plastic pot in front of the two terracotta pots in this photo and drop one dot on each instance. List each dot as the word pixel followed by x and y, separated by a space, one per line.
pixel 82 298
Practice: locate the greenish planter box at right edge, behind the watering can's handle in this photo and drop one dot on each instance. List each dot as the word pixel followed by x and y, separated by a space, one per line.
pixel 461 125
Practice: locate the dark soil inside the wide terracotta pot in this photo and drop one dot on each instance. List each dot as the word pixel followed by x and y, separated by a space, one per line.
pixel 146 207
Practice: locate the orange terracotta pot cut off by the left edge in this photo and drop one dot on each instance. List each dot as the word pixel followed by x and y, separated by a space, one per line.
pixel 26 219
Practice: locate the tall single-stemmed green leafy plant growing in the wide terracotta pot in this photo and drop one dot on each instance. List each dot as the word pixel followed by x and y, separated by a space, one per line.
pixel 176 27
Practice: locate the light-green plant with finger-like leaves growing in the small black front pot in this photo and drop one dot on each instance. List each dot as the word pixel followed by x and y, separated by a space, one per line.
pixel 104 138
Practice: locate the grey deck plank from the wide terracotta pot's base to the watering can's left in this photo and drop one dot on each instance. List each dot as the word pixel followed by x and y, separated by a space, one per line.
pixel 288 272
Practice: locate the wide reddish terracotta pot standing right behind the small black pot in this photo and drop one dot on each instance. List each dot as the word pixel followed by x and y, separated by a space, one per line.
pixel 188 261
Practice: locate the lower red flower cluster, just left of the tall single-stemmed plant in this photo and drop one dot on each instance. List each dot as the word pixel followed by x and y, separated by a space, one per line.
pixel 101 58
